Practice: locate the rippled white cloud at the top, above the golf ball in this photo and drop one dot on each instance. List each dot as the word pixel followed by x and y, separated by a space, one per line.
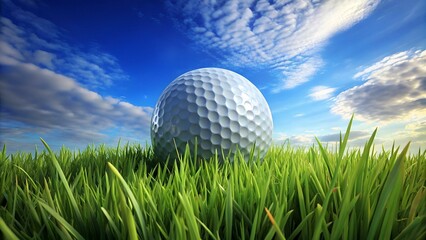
pixel 283 36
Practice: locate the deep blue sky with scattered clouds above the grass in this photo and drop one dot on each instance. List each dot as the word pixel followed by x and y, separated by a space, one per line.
pixel 77 73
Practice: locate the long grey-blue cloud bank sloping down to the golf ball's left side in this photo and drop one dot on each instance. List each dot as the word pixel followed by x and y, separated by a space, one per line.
pixel 47 102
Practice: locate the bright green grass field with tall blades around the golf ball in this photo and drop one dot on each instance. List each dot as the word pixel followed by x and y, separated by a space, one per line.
pixel 120 193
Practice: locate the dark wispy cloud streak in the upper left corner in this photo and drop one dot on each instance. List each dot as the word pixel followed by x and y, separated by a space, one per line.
pixel 28 38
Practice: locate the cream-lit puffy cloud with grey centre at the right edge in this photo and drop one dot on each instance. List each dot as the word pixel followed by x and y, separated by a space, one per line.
pixel 394 90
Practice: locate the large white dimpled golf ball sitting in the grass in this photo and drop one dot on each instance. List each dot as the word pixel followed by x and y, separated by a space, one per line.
pixel 216 108
